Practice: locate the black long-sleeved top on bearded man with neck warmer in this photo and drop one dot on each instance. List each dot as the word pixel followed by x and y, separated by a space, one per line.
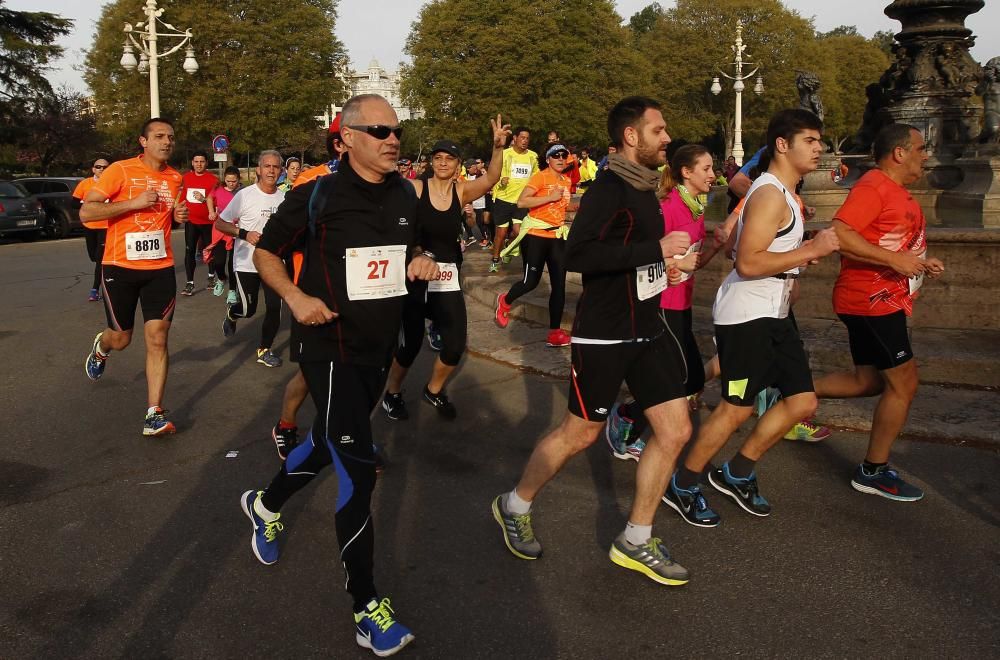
pixel 616 231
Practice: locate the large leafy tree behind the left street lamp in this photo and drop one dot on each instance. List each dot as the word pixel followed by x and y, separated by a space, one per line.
pixel 265 73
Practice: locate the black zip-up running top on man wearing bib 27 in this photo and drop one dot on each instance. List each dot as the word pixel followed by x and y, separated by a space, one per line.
pixel 354 213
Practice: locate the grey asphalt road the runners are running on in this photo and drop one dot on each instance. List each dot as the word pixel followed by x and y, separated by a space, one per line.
pixel 117 546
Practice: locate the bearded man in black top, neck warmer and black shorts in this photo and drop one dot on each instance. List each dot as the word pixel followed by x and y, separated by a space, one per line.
pixel 617 243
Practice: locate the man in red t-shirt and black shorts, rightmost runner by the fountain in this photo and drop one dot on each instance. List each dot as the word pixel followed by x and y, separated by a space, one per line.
pixel 883 246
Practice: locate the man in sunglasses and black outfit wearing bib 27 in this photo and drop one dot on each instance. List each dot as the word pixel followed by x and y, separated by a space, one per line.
pixel 361 229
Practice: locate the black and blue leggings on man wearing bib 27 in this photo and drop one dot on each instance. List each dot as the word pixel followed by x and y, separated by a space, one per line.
pixel 345 396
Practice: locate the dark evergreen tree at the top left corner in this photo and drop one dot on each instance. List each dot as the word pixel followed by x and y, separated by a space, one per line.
pixel 27 45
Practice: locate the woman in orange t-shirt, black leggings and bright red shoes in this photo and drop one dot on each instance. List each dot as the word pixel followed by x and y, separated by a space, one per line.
pixel 541 242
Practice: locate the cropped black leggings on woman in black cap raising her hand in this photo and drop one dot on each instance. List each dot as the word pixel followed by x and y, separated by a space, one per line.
pixel 447 309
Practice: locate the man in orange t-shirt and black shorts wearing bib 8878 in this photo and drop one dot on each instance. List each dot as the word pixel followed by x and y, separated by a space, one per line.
pixel 139 198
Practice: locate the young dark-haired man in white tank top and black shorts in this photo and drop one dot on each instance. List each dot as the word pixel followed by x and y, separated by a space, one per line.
pixel 759 344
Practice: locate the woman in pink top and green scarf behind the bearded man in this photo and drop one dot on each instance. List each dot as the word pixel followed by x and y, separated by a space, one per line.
pixel 682 188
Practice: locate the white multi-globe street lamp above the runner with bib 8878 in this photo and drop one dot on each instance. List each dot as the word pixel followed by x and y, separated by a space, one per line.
pixel 150 55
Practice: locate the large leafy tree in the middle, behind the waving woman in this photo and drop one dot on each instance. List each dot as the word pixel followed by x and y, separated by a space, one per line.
pixel 563 73
